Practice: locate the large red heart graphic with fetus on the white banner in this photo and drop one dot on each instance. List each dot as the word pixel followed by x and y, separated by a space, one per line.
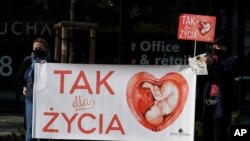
pixel 156 103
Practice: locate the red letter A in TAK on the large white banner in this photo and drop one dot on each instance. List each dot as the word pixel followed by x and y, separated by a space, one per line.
pixel 81 76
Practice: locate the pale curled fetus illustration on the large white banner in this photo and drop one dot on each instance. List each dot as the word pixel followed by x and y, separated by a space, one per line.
pixel 166 98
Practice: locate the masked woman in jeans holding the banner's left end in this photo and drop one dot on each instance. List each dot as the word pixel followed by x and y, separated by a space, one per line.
pixel 40 54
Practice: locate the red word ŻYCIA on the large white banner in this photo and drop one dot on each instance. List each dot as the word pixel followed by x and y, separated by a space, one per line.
pixel 114 124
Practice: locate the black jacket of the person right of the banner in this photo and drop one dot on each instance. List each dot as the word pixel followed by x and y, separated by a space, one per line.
pixel 223 73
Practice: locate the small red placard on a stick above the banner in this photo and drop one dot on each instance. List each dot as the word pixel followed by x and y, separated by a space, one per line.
pixel 196 27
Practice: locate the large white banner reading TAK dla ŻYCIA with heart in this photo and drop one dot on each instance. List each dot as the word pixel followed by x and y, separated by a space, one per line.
pixel 114 102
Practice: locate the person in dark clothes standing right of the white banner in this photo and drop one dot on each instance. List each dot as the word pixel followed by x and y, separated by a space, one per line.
pixel 216 92
